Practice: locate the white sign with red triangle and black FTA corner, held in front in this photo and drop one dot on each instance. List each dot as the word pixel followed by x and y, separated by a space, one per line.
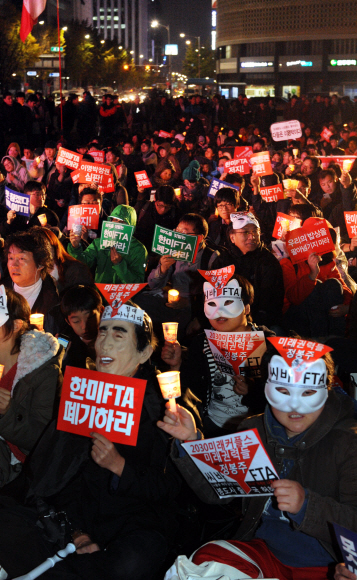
pixel 234 465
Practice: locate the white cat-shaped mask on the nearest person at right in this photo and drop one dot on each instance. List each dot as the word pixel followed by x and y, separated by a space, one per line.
pixel 301 387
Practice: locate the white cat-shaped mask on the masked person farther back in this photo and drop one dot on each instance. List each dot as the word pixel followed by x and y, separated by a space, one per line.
pixel 223 303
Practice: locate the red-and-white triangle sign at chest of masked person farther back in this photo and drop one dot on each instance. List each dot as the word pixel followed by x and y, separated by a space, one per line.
pixel 237 353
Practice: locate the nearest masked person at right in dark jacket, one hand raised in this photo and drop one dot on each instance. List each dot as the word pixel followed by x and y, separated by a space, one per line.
pixel 306 428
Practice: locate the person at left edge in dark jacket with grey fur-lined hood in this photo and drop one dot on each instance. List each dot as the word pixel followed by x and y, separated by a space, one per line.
pixel 28 386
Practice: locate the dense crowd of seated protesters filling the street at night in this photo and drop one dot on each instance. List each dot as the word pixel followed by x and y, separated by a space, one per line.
pixel 127 508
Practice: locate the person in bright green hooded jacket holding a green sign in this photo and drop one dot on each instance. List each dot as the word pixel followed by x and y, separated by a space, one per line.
pixel 111 266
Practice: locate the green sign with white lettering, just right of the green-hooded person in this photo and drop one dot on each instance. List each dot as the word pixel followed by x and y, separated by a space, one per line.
pixel 182 247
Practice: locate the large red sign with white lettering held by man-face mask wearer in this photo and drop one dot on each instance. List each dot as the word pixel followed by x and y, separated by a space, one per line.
pixel 102 403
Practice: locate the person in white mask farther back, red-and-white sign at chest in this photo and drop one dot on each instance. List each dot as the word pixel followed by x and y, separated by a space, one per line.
pixel 224 400
